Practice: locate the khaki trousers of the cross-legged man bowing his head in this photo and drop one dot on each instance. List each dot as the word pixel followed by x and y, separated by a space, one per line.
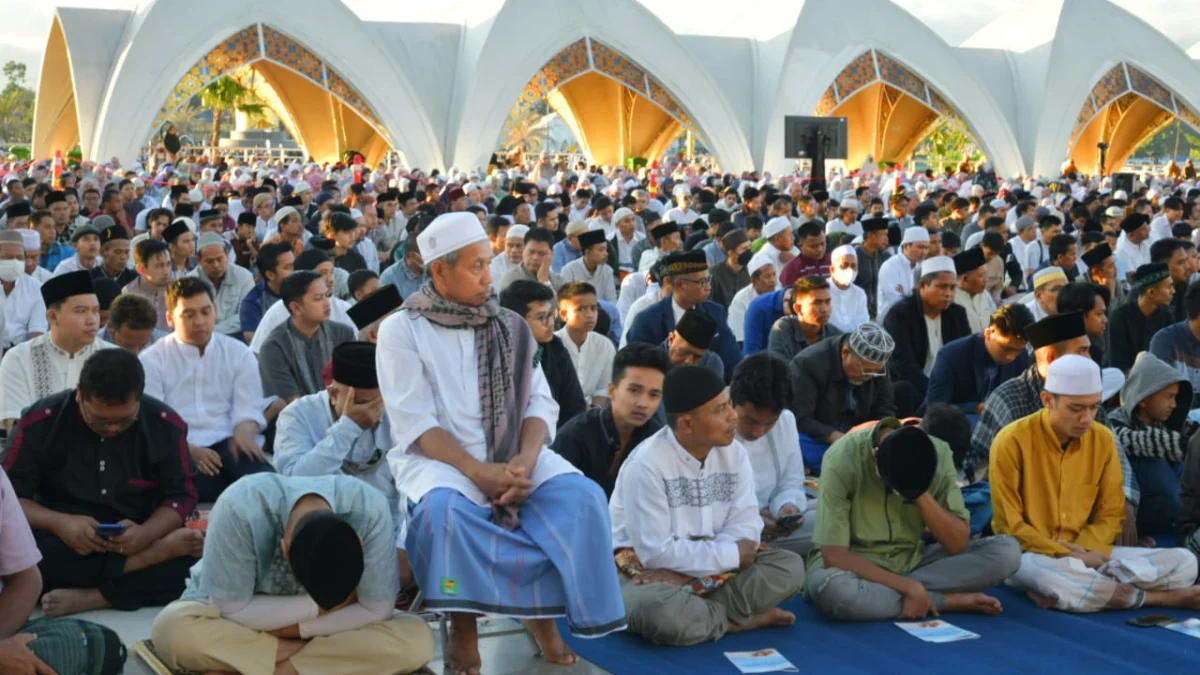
pixel 193 636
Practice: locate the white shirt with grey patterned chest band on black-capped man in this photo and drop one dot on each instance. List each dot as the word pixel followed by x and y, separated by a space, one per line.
pixel 682 515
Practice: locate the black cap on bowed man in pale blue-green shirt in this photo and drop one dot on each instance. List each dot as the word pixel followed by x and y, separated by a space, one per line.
pixel 327 558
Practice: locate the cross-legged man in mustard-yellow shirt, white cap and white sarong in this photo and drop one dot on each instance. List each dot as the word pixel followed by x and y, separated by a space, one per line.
pixel 1057 488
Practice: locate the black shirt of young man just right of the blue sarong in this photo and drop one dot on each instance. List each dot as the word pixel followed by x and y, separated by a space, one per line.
pixel 590 441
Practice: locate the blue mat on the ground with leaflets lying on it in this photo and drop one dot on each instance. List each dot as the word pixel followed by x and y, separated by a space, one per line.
pixel 1024 640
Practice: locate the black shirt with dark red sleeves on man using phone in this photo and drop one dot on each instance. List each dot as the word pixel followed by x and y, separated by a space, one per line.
pixel 55 458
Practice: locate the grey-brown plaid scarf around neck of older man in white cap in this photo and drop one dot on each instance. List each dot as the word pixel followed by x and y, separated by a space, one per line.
pixel 505 361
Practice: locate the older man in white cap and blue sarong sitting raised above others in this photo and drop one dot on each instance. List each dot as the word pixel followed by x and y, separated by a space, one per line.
pixel 471 416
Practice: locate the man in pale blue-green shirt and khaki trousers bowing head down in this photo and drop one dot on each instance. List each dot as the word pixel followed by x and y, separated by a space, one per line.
pixel 299 576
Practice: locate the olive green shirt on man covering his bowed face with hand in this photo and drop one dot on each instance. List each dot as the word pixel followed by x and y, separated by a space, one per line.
pixel 856 510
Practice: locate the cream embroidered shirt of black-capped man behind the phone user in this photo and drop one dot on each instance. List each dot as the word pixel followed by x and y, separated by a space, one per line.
pixel 38 368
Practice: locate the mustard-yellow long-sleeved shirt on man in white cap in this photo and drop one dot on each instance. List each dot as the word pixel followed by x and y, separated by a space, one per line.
pixel 1041 492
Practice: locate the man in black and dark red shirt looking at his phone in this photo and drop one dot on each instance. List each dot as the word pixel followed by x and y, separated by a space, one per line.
pixel 105 455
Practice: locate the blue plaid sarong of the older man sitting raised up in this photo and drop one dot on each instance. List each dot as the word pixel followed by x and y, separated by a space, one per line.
pixel 557 563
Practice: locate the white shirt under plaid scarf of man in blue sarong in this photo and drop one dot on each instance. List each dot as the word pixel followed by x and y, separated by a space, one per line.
pixel 429 380
